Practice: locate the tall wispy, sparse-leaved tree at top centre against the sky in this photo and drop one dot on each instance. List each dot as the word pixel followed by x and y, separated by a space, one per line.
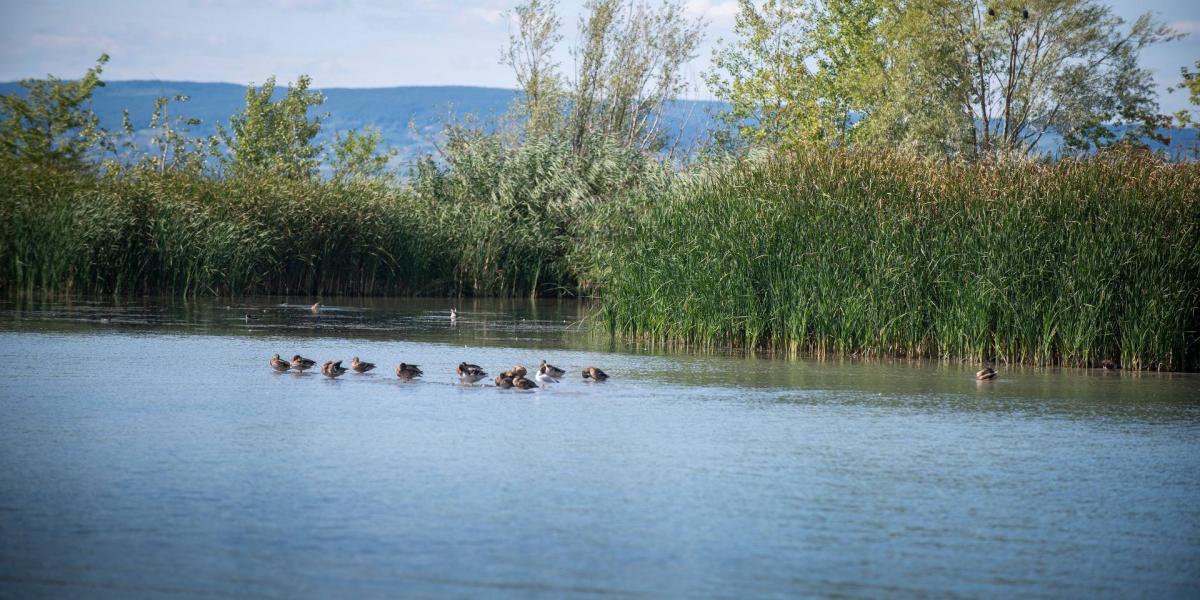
pixel 629 64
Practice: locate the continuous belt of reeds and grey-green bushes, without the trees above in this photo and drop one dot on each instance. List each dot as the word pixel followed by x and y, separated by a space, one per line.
pixel 825 253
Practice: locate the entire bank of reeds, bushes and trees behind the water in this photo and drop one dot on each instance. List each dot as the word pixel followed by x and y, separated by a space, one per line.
pixel 793 232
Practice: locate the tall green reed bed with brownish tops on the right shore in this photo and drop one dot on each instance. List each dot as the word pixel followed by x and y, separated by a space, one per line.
pixel 1069 263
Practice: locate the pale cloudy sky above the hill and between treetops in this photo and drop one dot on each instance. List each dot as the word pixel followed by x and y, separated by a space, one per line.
pixel 365 44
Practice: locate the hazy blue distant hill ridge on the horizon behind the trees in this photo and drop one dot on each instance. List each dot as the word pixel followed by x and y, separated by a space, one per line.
pixel 392 110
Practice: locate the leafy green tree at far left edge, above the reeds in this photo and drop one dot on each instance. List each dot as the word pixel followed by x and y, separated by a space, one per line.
pixel 53 123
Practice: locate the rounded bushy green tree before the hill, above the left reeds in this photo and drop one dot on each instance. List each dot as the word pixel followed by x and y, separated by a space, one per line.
pixel 275 136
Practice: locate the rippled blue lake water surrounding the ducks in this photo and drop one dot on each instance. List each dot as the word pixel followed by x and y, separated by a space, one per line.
pixel 148 451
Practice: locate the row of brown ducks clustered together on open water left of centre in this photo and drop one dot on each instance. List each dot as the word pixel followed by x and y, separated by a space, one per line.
pixel 467 373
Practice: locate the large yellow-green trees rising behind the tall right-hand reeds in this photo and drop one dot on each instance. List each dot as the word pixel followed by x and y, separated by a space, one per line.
pixel 953 77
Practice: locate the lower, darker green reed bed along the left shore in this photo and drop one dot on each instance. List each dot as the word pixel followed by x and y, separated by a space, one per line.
pixel 187 235
